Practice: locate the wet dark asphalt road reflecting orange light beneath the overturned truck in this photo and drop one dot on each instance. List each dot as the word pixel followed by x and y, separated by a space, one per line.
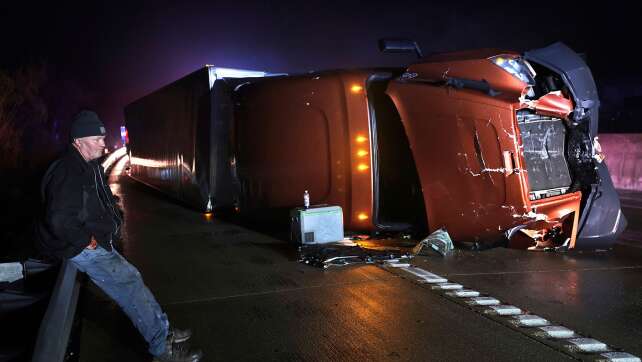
pixel 246 297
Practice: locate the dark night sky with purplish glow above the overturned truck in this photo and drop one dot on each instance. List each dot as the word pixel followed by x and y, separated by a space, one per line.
pixel 112 53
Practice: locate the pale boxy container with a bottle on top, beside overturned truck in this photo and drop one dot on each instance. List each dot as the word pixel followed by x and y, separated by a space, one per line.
pixel 317 224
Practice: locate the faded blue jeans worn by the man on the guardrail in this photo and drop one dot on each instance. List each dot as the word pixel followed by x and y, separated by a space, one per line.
pixel 124 284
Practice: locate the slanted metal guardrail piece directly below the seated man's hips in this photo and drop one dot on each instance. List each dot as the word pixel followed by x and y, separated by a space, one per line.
pixel 55 328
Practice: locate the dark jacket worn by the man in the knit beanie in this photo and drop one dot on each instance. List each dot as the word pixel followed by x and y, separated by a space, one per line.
pixel 78 205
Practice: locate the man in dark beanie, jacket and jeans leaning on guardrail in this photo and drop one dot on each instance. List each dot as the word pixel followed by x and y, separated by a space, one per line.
pixel 79 224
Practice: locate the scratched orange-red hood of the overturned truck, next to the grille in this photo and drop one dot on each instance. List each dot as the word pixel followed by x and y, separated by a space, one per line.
pixel 465 149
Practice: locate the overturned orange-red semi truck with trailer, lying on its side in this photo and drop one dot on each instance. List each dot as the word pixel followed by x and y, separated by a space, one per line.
pixel 494 146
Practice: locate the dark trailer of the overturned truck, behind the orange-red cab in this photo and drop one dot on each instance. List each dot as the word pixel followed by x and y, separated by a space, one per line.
pixel 179 138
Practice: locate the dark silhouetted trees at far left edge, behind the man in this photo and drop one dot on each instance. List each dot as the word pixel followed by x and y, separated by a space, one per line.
pixel 25 149
